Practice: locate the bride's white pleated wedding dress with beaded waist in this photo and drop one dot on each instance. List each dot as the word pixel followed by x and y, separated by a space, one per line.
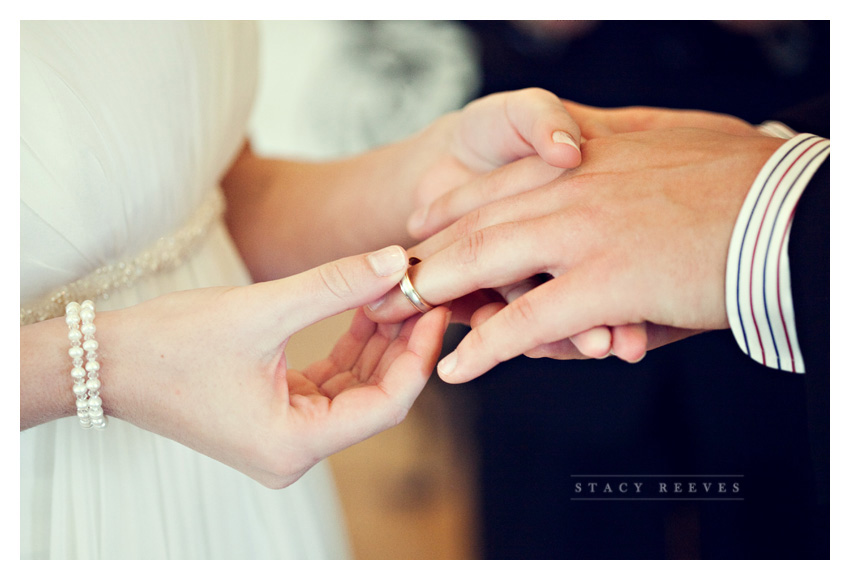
pixel 126 130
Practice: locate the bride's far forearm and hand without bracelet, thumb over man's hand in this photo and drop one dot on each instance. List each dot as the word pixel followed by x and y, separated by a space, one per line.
pixel 288 216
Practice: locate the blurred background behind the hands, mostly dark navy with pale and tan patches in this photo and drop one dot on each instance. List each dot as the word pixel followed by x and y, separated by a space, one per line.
pixel 484 470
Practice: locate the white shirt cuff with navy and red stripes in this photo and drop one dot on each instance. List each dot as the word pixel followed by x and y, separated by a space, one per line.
pixel 758 282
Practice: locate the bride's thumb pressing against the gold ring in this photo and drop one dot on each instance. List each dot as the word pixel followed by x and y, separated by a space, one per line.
pixel 341 285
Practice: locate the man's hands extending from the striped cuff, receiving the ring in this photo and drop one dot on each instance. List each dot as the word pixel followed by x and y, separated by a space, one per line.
pixel 636 238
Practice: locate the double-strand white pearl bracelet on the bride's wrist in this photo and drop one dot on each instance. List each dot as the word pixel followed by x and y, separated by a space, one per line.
pixel 80 321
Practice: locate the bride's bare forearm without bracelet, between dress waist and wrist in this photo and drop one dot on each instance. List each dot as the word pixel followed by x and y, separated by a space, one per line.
pixel 286 217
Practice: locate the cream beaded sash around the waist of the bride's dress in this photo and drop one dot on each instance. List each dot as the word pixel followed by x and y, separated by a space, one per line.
pixel 163 255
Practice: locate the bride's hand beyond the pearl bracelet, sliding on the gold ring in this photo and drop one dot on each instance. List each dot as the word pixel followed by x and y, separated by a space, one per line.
pixel 207 367
